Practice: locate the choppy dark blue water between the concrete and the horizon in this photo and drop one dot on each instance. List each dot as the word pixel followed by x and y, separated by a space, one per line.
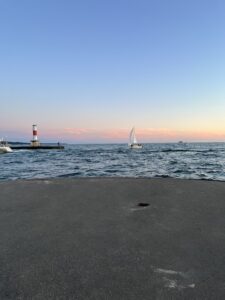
pixel 191 161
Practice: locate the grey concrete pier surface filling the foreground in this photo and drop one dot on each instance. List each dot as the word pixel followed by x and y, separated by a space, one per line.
pixel 112 238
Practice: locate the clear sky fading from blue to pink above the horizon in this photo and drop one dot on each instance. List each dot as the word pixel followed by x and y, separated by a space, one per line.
pixel 88 71
